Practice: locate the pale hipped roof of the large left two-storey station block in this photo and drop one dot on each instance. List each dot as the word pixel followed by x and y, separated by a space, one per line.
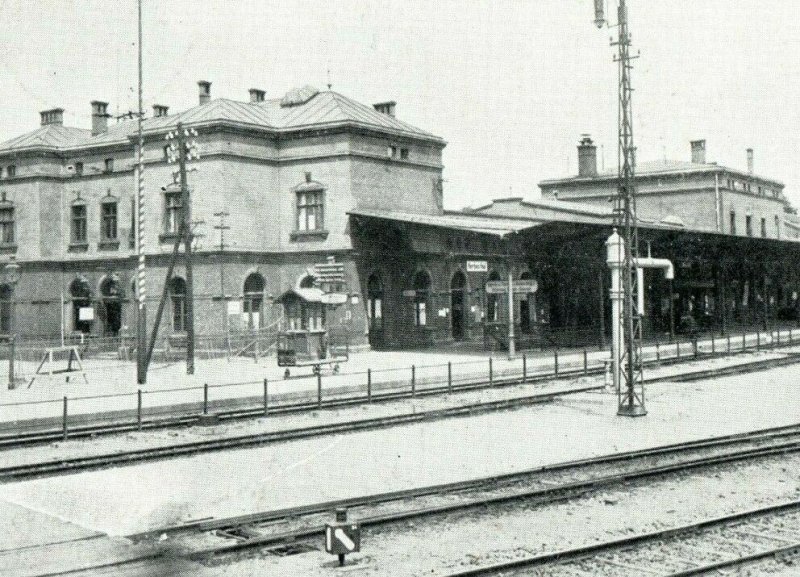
pixel 322 109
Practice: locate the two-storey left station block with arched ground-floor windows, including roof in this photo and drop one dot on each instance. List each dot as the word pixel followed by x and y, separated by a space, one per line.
pixel 285 170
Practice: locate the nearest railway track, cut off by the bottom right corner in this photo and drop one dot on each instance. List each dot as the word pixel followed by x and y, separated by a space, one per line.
pixel 707 547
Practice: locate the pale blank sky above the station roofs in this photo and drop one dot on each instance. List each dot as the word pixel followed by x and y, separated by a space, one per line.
pixel 509 84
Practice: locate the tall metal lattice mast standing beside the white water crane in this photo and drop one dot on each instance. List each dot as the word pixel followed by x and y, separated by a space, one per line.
pixel 631 388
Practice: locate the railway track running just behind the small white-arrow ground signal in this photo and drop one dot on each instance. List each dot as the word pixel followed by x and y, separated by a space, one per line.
pixel 296 529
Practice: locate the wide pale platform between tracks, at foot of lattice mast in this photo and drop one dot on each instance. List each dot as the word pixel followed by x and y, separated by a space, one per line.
pixel 148 496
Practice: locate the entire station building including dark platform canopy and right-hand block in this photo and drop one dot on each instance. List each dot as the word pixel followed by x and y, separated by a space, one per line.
pixel 314 179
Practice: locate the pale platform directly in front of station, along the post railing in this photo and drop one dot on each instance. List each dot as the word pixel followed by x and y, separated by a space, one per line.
pixel 111 391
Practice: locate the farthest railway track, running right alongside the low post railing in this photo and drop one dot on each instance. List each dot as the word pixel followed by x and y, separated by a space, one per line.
pixel 21 439
